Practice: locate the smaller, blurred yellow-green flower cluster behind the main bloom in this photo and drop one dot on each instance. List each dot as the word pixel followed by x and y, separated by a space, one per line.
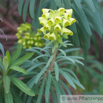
pixel 27 37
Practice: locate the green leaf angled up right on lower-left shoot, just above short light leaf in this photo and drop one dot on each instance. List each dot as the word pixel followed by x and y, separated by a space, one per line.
pixel 23 59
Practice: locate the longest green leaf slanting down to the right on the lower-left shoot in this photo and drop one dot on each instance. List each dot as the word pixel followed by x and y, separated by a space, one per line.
pixel 22 86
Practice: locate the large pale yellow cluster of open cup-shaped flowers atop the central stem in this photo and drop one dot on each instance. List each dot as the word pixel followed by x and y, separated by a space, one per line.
pixel 55 22
